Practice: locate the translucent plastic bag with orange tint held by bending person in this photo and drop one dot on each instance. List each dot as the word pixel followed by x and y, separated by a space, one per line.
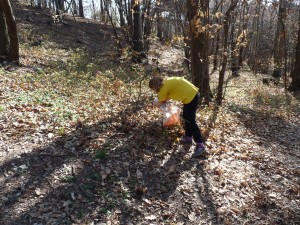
pixel 171 115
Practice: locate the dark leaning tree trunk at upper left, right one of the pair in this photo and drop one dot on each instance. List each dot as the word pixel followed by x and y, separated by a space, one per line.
pixel 13 53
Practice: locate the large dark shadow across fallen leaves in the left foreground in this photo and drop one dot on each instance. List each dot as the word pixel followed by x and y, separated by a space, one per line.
pixel 70 181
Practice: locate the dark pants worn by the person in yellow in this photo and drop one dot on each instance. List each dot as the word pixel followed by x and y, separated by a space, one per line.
pixel 189 116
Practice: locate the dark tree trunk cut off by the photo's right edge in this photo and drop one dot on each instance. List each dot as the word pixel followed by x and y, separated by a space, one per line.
pixel 295 74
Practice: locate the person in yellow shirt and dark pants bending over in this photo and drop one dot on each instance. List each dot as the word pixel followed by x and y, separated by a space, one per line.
pixel 179 89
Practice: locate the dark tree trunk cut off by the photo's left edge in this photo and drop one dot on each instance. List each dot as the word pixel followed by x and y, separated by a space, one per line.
pixel 4 45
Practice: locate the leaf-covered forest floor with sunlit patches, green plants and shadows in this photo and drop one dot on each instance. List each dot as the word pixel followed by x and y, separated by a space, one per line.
pixel 80 144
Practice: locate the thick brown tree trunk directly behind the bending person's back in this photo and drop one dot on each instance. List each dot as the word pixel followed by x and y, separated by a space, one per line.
pixel 197 11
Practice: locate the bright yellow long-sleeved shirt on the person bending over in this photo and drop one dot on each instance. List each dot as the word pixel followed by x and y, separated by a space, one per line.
pixel 177 88
